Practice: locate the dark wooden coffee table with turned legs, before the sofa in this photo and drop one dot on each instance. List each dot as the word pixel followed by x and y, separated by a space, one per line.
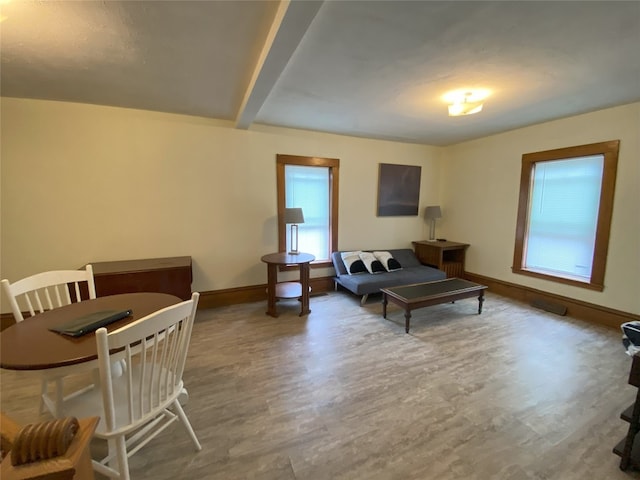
pixel 419 295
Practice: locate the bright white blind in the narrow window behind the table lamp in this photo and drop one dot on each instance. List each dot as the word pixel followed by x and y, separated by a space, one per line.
pixel 309 188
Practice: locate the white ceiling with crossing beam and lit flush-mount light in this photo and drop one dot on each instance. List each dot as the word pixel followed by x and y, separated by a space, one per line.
pixel 374 69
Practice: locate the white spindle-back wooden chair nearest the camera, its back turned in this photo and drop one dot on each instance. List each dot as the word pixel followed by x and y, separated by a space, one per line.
pixel 139 404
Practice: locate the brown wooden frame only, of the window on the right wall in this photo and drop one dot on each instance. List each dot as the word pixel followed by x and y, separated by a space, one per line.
pixel 610 152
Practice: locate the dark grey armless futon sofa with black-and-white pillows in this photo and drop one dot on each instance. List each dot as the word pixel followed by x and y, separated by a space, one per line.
pixel 366 283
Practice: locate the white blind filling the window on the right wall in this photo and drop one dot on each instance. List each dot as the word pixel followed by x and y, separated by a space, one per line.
pixel 563 215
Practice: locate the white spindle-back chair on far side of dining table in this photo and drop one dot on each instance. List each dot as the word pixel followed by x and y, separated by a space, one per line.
pixel 39 293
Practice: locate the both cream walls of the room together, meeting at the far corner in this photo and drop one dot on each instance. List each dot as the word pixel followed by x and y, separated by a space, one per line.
pixel 85 183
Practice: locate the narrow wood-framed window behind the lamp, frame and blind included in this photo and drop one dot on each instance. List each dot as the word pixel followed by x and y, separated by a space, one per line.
pixel 310 183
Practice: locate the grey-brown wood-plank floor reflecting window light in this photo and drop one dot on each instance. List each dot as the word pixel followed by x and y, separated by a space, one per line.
pixel 514 393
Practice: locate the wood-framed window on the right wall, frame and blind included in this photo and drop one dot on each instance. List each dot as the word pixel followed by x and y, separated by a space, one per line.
pixel 564 214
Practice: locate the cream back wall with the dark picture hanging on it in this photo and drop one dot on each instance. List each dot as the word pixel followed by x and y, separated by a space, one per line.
pixel 84 183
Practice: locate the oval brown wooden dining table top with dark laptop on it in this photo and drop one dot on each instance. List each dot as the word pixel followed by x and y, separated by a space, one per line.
pixel 30 345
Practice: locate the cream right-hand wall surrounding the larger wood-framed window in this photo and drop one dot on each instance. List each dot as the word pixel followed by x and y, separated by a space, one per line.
pixel 480 183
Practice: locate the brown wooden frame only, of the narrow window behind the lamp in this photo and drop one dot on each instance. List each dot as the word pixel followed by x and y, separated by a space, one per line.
pixel 334 176
